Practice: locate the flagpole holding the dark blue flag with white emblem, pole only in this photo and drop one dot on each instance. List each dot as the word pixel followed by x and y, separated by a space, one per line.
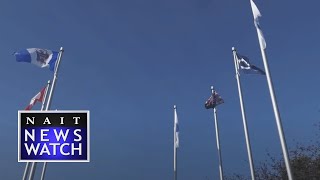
pixel 245 127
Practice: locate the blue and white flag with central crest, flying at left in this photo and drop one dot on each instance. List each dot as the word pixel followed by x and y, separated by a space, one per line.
pixel 40 57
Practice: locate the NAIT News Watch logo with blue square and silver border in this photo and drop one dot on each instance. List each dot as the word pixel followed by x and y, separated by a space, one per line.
pixel 53 136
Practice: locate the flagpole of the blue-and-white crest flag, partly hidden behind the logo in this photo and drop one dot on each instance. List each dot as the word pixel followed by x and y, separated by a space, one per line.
pixel 49 99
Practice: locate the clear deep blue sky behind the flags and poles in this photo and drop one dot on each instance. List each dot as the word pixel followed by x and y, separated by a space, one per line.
pixel 129 62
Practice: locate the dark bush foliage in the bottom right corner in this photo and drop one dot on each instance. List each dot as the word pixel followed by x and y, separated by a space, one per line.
pixel 304 161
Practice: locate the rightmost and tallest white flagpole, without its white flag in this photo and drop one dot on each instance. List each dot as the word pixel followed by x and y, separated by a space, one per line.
pixel 276 110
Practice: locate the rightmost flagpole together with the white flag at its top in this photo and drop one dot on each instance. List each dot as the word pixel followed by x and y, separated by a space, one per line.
pixel 257 14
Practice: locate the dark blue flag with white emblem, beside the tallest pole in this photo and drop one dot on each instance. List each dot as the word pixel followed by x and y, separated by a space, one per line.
pixel 247 67
